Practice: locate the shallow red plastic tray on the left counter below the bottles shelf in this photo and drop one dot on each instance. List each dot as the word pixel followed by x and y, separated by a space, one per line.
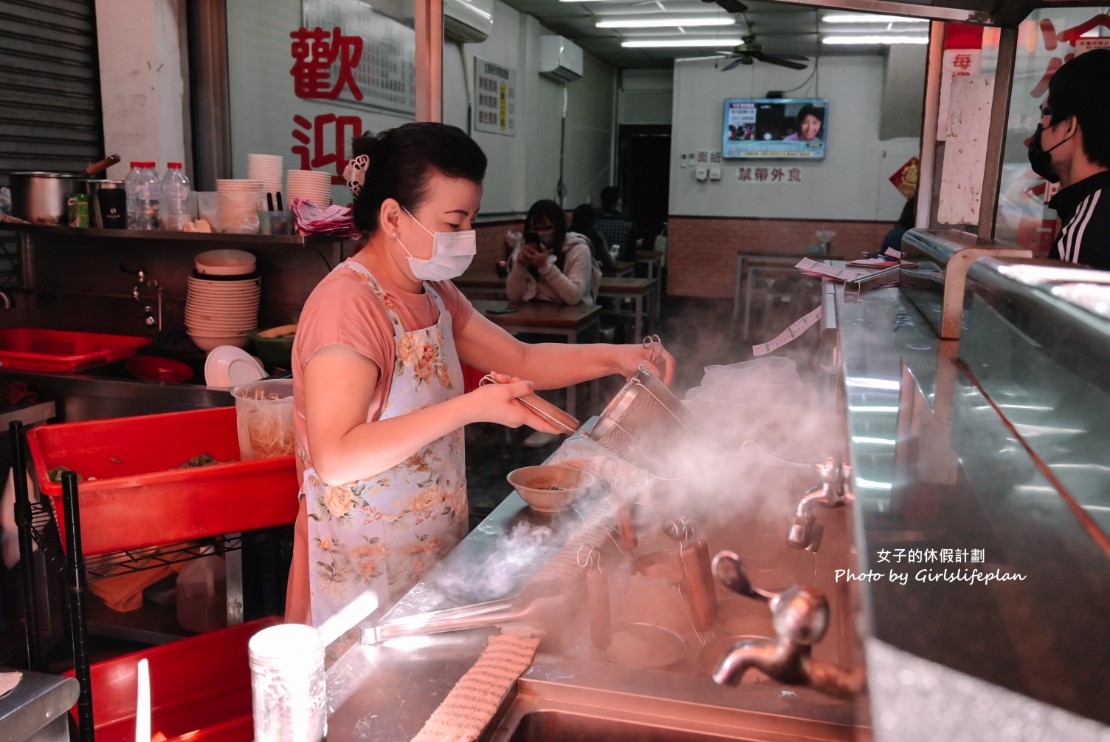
pixel 31 349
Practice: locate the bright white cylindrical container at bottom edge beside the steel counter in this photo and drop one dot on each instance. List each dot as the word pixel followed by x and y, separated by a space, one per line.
pixel 288 690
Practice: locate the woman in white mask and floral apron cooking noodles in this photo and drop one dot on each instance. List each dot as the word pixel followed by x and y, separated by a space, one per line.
pixel 379 403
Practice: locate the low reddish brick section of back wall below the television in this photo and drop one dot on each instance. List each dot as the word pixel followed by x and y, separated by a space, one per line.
pixel 702 252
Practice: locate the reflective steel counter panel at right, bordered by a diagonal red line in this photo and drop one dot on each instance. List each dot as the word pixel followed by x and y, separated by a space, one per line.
pixel 987 597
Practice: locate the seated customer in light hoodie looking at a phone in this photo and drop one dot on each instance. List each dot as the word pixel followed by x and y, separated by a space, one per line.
pixel 552 264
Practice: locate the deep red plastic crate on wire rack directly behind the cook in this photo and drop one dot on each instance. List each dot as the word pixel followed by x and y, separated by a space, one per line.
pixel 142 498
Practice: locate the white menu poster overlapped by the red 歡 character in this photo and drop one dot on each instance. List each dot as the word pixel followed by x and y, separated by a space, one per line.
pixel 359 56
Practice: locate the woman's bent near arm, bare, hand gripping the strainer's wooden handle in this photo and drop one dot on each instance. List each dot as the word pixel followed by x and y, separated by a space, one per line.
pixel 339 387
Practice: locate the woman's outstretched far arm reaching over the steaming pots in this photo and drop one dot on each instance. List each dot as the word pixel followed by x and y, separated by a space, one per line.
pixel 482 345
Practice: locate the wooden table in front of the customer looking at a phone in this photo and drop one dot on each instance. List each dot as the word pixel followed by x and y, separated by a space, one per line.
pixel 574 323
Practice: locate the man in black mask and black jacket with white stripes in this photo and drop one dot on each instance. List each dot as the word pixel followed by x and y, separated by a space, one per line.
pixel 1072 146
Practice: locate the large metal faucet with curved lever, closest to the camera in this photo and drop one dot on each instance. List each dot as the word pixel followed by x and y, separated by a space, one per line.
pixel 801 618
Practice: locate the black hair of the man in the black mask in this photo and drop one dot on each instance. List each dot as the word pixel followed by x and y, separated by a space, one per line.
pixel 1082 88
